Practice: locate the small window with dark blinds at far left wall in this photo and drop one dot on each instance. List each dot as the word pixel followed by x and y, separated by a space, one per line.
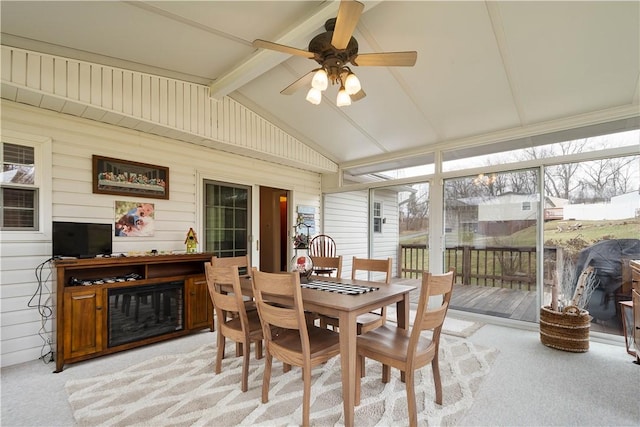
pixel 19 195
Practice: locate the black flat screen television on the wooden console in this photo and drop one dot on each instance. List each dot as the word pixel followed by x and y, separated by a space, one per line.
pixel 81 239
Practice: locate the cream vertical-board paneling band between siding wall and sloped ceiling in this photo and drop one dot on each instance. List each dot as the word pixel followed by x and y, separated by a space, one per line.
pixel 183 106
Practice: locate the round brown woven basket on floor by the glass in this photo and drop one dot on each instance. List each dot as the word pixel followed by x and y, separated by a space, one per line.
pixel 567 330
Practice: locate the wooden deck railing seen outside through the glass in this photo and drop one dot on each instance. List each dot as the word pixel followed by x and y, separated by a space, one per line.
pixel 513 268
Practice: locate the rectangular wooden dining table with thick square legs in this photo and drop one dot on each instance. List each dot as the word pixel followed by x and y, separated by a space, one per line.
pixel 346 309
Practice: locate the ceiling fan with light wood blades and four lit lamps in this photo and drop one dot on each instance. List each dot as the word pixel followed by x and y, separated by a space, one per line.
pixel 333 50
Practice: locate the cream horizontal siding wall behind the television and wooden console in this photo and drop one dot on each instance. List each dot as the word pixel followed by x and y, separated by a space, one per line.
pixel 74 141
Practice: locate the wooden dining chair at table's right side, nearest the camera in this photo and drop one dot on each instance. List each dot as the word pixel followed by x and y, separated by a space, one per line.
pixel 410 350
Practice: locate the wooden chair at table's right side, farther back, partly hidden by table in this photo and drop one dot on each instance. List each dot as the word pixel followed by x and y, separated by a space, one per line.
pixel 371 320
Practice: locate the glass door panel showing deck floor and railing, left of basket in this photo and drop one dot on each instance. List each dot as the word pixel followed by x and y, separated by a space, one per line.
pixel 490 238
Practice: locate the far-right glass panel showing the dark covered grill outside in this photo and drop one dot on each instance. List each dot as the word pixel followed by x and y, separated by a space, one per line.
pixel 591 231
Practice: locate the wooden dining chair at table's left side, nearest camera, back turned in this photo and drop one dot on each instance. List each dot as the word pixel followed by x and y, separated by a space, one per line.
pixel 296 342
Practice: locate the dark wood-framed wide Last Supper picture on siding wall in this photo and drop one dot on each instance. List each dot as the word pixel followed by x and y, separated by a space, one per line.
pixel 126 178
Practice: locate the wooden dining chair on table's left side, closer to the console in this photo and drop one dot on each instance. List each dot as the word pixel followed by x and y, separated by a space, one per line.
pixel 242 326
